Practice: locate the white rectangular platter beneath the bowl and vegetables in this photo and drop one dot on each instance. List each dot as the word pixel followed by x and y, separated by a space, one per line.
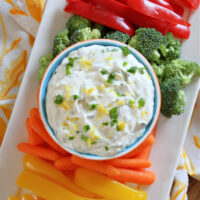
pixel 170 132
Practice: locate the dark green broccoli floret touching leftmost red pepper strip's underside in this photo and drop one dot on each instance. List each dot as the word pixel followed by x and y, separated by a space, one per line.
pixel 76 22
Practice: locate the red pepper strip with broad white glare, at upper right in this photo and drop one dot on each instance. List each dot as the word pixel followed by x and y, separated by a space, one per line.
pixel 151 9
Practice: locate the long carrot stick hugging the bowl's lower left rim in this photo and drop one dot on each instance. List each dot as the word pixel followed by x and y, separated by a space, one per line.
pixel 37 125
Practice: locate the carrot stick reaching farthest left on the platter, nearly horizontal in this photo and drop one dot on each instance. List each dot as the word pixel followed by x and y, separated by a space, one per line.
pixel 39 151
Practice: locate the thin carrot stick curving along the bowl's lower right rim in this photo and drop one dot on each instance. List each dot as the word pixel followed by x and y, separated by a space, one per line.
pixel 148 141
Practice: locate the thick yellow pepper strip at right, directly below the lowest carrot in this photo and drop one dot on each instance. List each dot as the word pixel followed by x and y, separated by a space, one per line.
pixel 106 187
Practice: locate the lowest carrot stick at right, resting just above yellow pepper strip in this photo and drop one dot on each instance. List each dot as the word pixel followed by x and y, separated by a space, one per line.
pixel 135 176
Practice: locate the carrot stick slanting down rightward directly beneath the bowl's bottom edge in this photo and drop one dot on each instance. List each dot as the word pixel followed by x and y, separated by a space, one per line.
pixel 98 166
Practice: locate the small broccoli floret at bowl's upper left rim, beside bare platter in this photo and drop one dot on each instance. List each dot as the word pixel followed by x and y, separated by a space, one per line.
pixel 61 41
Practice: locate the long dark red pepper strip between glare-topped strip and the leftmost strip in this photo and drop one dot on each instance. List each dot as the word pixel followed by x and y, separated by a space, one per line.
pixel 130 15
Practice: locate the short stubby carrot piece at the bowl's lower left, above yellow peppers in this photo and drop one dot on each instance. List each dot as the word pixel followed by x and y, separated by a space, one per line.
pixel 65 163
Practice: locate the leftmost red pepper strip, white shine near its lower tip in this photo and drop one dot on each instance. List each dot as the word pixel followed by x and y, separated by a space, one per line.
pixel 99 16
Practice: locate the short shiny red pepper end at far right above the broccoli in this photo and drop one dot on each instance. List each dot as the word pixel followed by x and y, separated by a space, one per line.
pixel 180 31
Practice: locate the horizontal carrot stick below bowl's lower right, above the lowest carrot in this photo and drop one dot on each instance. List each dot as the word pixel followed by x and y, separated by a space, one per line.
pixel 130 163
